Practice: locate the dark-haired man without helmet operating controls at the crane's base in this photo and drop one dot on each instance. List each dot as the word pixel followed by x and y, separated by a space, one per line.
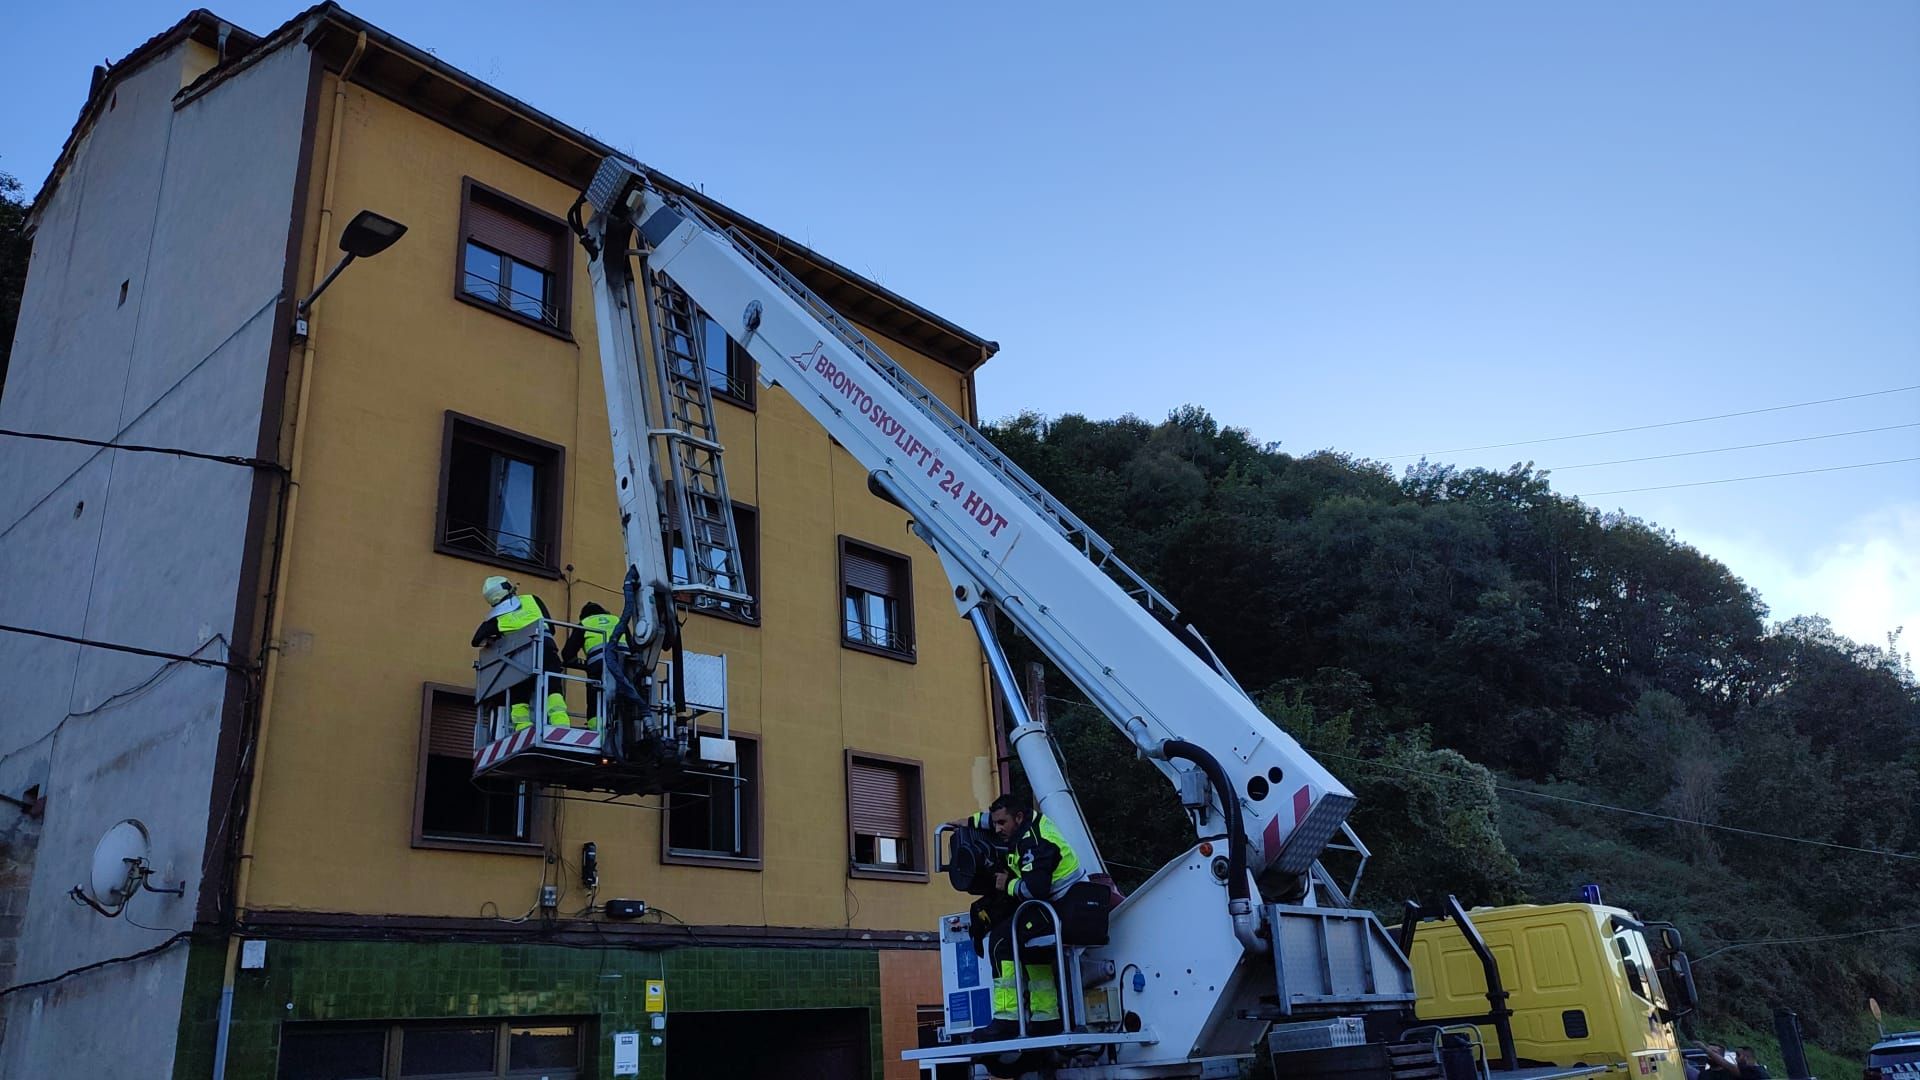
pixel 1040 866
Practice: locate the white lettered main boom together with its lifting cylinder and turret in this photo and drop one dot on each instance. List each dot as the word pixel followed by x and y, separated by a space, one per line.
pixel 1011 549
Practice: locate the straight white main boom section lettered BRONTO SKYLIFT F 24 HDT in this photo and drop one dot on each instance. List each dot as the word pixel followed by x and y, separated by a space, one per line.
pixel 996 545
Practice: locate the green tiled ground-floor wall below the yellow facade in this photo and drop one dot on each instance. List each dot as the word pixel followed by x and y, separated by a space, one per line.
pixel 406 981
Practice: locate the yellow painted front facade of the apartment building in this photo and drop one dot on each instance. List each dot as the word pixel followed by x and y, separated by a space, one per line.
pixel 372 612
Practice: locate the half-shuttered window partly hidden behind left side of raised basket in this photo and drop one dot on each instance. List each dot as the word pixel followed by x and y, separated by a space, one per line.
pixel 452 810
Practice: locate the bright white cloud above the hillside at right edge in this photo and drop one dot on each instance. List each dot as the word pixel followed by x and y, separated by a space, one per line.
pixel 1865 577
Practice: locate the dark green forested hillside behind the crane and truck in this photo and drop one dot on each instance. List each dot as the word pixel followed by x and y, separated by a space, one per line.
pixel 1491 666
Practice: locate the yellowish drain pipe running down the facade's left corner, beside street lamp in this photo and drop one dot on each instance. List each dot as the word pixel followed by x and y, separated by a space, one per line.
pixel 245 875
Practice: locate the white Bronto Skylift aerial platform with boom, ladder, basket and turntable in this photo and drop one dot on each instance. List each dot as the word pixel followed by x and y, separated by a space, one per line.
pixel 1241 933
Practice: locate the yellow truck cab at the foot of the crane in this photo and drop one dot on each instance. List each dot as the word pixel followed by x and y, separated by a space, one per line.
pixel 1581 981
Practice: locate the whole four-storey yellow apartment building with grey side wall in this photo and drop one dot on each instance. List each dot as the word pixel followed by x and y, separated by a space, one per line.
pixel 354 904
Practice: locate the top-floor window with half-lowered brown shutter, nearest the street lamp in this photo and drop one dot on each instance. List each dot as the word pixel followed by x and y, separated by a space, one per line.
pixel 514 260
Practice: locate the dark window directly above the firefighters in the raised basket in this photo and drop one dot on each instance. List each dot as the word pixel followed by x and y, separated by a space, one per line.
pixel 500 497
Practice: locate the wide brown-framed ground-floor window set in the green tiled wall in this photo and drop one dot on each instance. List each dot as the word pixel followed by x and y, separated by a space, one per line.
pixel 514 1050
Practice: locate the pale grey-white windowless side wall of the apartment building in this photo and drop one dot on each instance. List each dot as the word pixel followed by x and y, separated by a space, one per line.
pixel 191 209
